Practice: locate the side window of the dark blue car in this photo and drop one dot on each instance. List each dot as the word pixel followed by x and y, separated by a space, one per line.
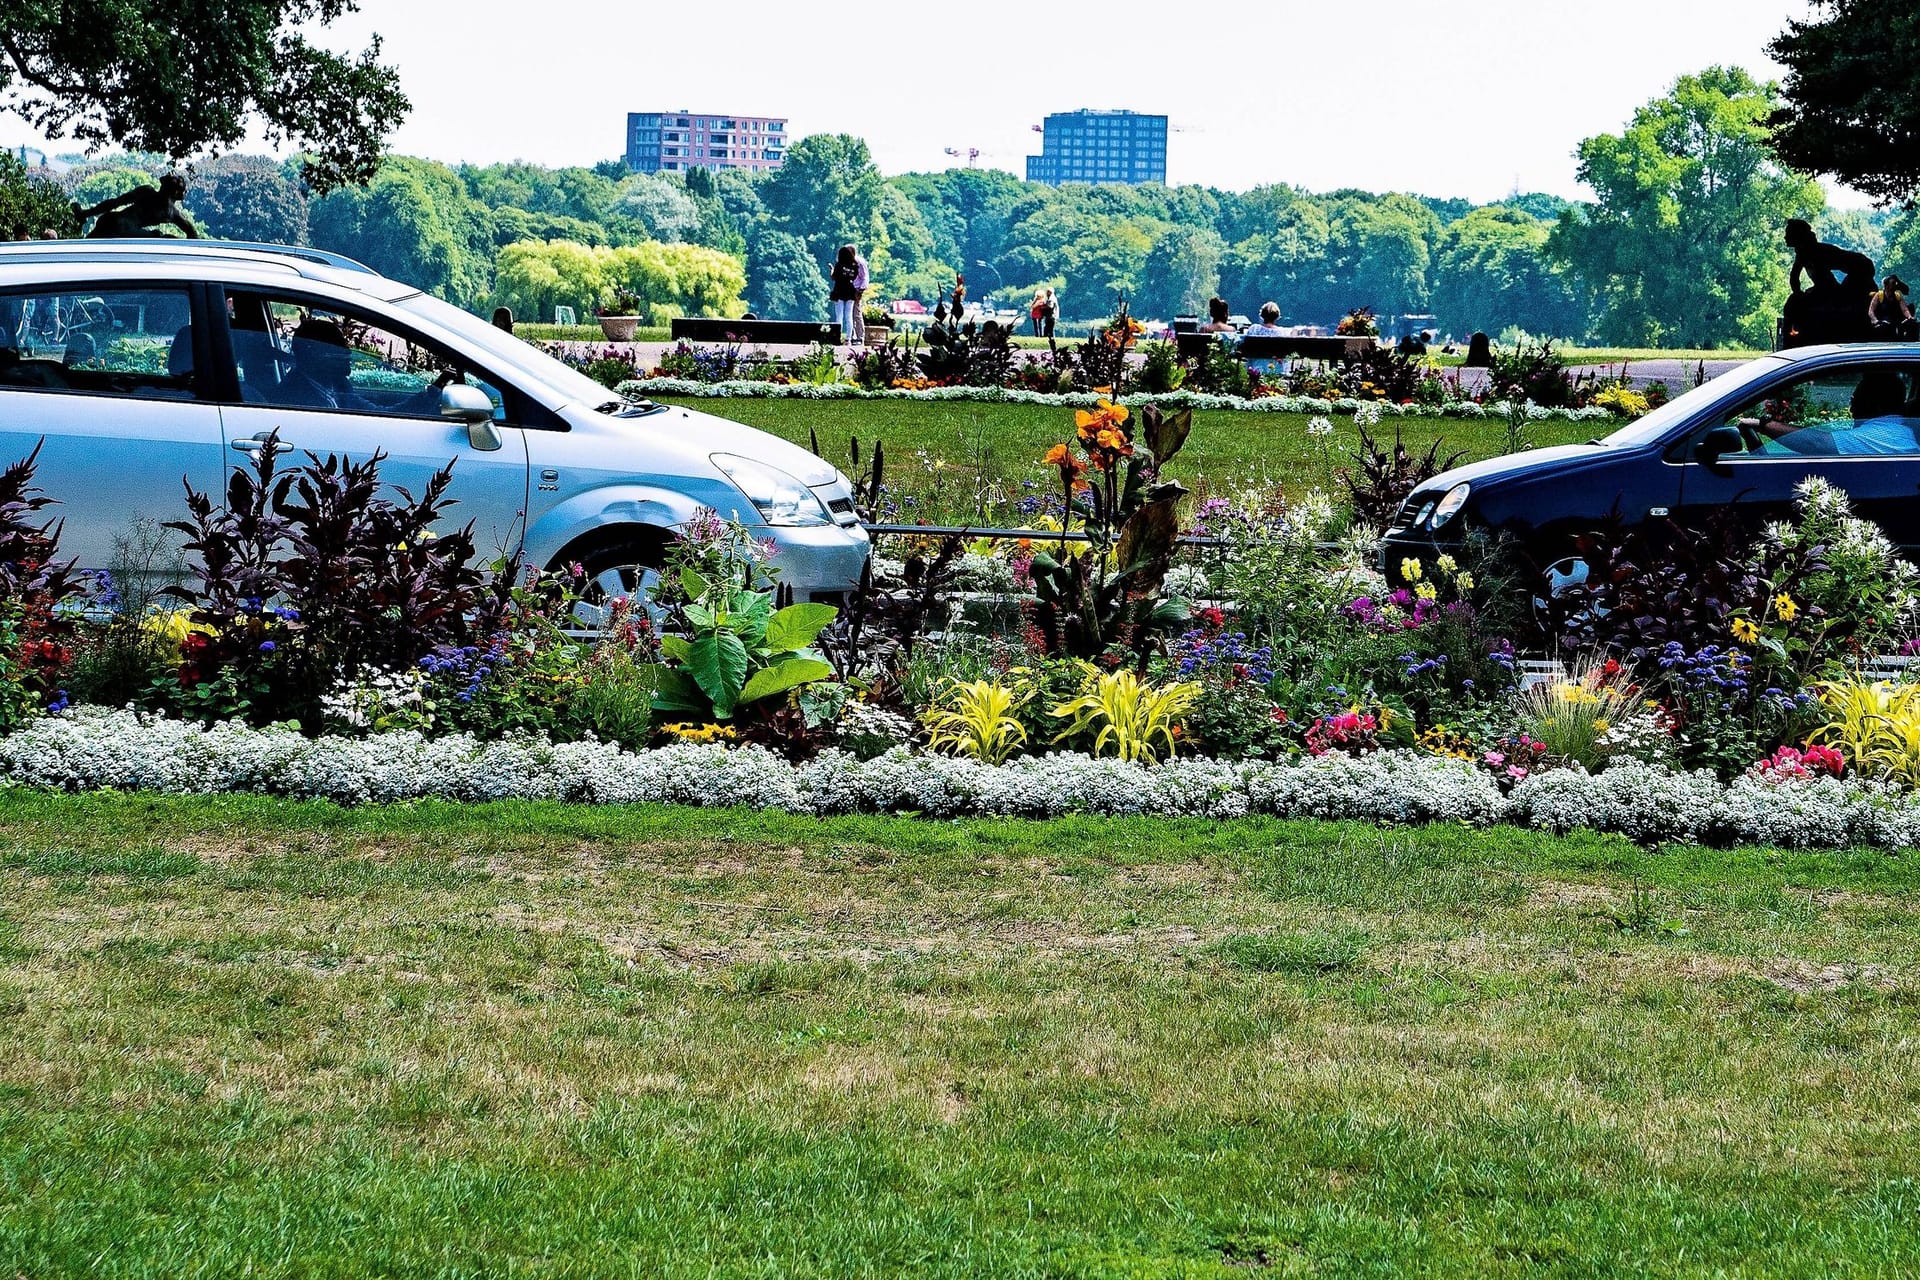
pixel 1848 412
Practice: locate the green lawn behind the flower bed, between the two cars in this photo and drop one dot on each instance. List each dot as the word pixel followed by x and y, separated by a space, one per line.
pixel 967 463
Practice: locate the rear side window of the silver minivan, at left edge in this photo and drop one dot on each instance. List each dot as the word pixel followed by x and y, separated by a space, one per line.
pixel 99 341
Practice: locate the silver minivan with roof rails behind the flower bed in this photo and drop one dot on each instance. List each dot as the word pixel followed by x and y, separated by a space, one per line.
pixel 143 364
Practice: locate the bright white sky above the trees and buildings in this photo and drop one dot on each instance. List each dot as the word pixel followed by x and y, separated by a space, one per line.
pixel 1472 99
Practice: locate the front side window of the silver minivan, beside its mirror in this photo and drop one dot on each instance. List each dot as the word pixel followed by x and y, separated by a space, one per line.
pixel 297 354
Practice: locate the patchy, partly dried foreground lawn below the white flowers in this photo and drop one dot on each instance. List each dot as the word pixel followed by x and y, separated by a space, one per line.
pixel 254 1037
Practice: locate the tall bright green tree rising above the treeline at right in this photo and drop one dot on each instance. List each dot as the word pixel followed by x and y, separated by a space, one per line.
pixel 1683 245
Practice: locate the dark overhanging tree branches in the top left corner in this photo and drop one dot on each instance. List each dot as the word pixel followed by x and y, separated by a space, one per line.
pixel 172 78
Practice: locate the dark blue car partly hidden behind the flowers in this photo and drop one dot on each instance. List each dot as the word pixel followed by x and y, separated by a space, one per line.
pixel 1742 442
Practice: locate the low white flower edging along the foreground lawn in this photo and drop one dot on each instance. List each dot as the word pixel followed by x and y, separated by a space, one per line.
pixel 89 749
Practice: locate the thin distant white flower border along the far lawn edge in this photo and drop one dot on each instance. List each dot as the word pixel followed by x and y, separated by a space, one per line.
pixel 752 389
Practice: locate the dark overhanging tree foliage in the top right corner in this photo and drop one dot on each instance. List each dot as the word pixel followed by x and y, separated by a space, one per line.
pixel 1852 99
